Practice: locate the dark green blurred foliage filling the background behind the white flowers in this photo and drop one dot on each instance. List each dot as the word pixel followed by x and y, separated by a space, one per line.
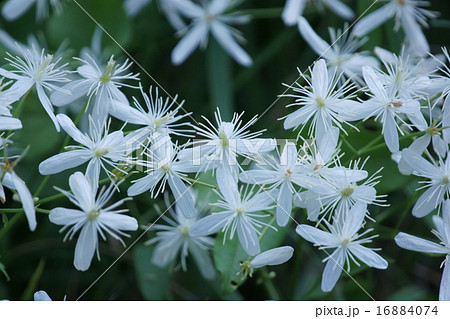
pixel 41 260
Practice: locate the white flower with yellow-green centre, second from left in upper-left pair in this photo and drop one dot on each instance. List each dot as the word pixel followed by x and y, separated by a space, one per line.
pixel 101 82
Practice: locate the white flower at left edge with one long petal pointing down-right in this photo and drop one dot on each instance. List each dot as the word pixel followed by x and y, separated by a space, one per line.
pixel 40 70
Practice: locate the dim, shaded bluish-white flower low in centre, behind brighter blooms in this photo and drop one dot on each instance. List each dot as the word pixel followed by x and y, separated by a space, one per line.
pixel 174 239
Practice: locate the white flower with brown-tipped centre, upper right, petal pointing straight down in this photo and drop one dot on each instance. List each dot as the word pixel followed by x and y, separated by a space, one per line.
pixel 385 105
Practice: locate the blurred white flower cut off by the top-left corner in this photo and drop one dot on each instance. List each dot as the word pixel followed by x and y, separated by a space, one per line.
pixel 14 9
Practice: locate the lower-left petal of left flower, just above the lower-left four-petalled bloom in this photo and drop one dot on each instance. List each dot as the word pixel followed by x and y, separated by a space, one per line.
pixel 63 161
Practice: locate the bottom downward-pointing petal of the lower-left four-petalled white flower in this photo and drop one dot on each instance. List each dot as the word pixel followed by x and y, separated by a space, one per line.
pixel 85 247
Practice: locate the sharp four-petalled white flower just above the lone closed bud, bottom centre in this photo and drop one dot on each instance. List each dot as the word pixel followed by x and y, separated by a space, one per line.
pixel 239 214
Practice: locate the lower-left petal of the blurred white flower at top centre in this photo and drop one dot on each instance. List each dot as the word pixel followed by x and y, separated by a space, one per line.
pixel 189 42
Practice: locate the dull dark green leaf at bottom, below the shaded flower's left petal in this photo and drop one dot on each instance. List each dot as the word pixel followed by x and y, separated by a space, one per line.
pixel 153 281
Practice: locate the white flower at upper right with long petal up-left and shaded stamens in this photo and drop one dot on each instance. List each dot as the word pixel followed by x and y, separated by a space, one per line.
pixel 342 55
